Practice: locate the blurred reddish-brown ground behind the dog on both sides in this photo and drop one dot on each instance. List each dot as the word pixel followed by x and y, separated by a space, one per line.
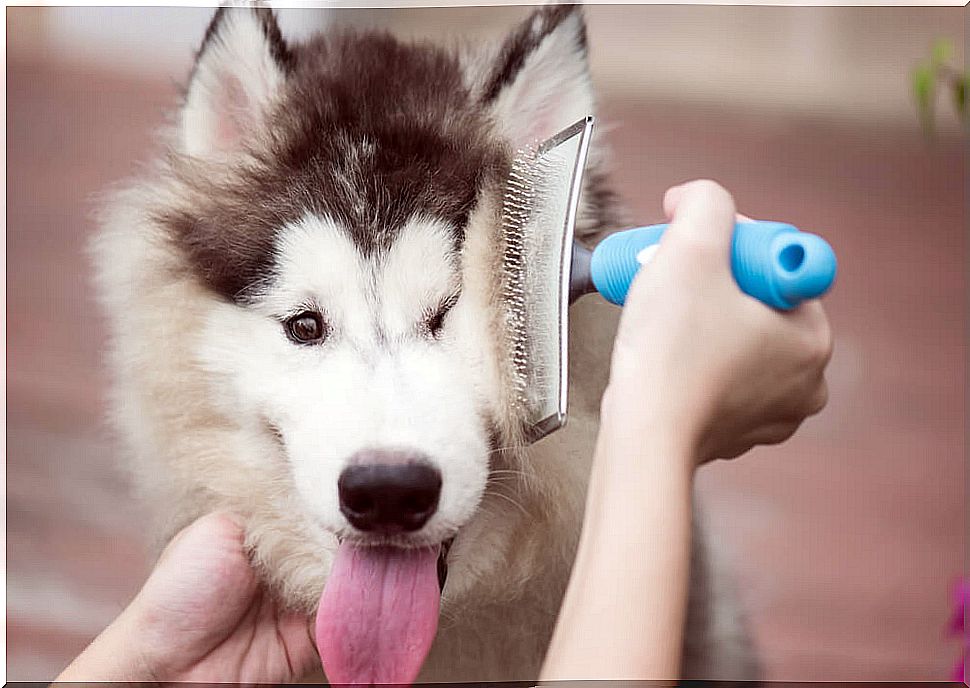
pixel 847 539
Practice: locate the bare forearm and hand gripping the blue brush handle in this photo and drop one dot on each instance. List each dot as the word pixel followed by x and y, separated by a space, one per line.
pixel 700 371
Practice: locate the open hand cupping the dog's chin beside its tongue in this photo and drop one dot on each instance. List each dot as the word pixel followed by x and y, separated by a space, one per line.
pixel 202 616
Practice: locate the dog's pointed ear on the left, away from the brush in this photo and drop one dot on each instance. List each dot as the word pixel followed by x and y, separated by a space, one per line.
pixel 238 71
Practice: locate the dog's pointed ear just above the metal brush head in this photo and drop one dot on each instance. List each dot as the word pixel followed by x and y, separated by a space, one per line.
pixel 540 82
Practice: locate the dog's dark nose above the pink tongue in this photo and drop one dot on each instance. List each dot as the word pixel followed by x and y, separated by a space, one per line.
pixel 390 497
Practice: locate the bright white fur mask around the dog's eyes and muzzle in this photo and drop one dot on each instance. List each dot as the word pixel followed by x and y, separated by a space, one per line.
pixel 375 383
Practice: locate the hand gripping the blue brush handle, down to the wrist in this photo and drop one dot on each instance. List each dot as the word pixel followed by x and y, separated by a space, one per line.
pixel 697 357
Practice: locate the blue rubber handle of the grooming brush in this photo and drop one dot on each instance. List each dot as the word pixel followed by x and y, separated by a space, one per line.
pixel 771 261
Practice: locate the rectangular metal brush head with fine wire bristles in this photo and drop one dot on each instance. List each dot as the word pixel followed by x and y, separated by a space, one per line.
pixel 538 218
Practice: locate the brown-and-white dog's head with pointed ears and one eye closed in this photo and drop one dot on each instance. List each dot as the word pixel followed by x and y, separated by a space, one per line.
pixel 340 202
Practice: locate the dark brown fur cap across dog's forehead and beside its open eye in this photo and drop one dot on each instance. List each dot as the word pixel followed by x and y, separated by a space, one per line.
pixel 366 130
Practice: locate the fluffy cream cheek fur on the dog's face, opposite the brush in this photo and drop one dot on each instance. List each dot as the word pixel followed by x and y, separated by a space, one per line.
pixel 185 455
